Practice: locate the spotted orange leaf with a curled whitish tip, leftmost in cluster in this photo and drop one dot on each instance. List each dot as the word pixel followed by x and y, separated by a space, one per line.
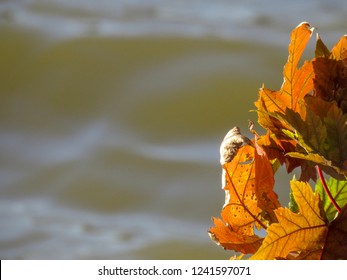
pixel 249 198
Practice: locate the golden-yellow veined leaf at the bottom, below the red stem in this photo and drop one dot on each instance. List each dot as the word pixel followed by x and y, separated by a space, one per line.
pixel 295 232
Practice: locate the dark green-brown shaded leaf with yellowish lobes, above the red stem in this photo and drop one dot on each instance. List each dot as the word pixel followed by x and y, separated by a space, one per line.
pixel 322 134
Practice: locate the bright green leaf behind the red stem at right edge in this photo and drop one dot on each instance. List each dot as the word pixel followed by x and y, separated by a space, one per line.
pixel 338 190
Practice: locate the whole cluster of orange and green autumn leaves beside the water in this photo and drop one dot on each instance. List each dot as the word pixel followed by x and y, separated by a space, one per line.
pixel 306 128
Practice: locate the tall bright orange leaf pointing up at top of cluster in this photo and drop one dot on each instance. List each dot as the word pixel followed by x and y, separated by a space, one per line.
pixel 297 83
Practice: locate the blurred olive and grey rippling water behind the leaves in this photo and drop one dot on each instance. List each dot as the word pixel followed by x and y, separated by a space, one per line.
pixel 112 113
